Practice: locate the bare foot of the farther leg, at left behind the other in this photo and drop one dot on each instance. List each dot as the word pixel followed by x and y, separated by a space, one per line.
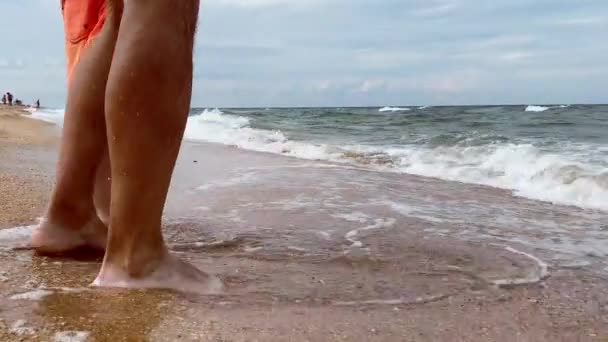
pixel 53 239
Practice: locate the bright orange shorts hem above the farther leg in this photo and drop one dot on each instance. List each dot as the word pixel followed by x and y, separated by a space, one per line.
pixel 82 20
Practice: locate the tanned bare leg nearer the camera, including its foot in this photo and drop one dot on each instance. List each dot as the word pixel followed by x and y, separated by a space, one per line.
pixel 147 103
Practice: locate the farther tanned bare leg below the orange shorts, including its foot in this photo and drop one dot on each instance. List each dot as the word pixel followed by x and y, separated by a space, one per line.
pixel 71 221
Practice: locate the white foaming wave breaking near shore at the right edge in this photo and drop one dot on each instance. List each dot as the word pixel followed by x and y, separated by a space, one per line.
pixel 523 168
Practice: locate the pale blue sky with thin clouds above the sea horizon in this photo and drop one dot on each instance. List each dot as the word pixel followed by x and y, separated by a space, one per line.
pixel 354 52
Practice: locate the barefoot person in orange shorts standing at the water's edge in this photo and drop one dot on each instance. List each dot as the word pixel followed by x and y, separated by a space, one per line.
pixel 119 145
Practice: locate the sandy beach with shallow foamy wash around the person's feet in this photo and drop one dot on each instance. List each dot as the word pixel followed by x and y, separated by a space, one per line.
pixel 313 251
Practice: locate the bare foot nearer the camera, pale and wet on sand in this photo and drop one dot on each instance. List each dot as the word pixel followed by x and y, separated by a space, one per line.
pixel 171 274
